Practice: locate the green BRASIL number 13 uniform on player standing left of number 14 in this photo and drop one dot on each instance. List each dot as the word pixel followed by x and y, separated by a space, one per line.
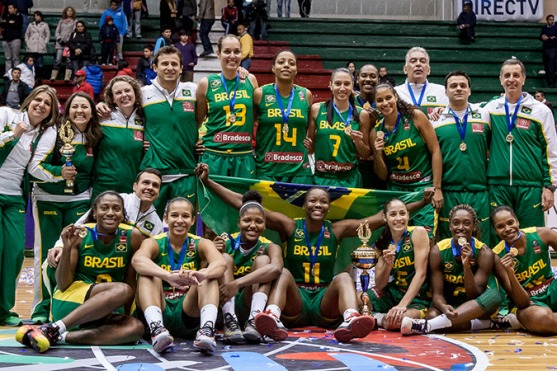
pixel 228 143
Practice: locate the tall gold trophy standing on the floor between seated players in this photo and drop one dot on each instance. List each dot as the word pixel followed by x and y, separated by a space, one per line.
pixel 364 257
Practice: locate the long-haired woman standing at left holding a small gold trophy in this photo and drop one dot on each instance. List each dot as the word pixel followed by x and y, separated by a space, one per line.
pixel 64 157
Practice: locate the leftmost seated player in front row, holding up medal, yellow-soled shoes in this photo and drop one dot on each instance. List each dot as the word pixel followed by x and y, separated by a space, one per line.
pixel 95 279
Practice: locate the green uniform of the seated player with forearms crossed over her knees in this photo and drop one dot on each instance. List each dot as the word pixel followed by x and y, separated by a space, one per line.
pixel 174 318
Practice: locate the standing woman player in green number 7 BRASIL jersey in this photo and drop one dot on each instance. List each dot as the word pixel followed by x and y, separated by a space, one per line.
pixel 338 132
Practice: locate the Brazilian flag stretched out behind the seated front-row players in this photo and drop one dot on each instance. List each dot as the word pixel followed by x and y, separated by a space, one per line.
pixel 346 203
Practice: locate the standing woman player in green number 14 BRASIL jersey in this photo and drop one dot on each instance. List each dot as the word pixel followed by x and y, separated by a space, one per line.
pixel 282 112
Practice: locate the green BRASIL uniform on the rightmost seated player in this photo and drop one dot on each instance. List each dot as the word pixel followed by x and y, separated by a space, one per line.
pixel 533 269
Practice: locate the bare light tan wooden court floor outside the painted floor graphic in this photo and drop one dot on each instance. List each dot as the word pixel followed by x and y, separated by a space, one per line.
pixel 505 351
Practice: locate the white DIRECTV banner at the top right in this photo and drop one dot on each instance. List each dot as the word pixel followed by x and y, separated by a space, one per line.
pixel 504 10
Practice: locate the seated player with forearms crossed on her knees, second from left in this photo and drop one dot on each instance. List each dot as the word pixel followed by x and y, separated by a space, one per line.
pixel 175 293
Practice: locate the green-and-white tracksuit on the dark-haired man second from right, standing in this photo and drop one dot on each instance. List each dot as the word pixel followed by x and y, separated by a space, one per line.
pixel 464 171
